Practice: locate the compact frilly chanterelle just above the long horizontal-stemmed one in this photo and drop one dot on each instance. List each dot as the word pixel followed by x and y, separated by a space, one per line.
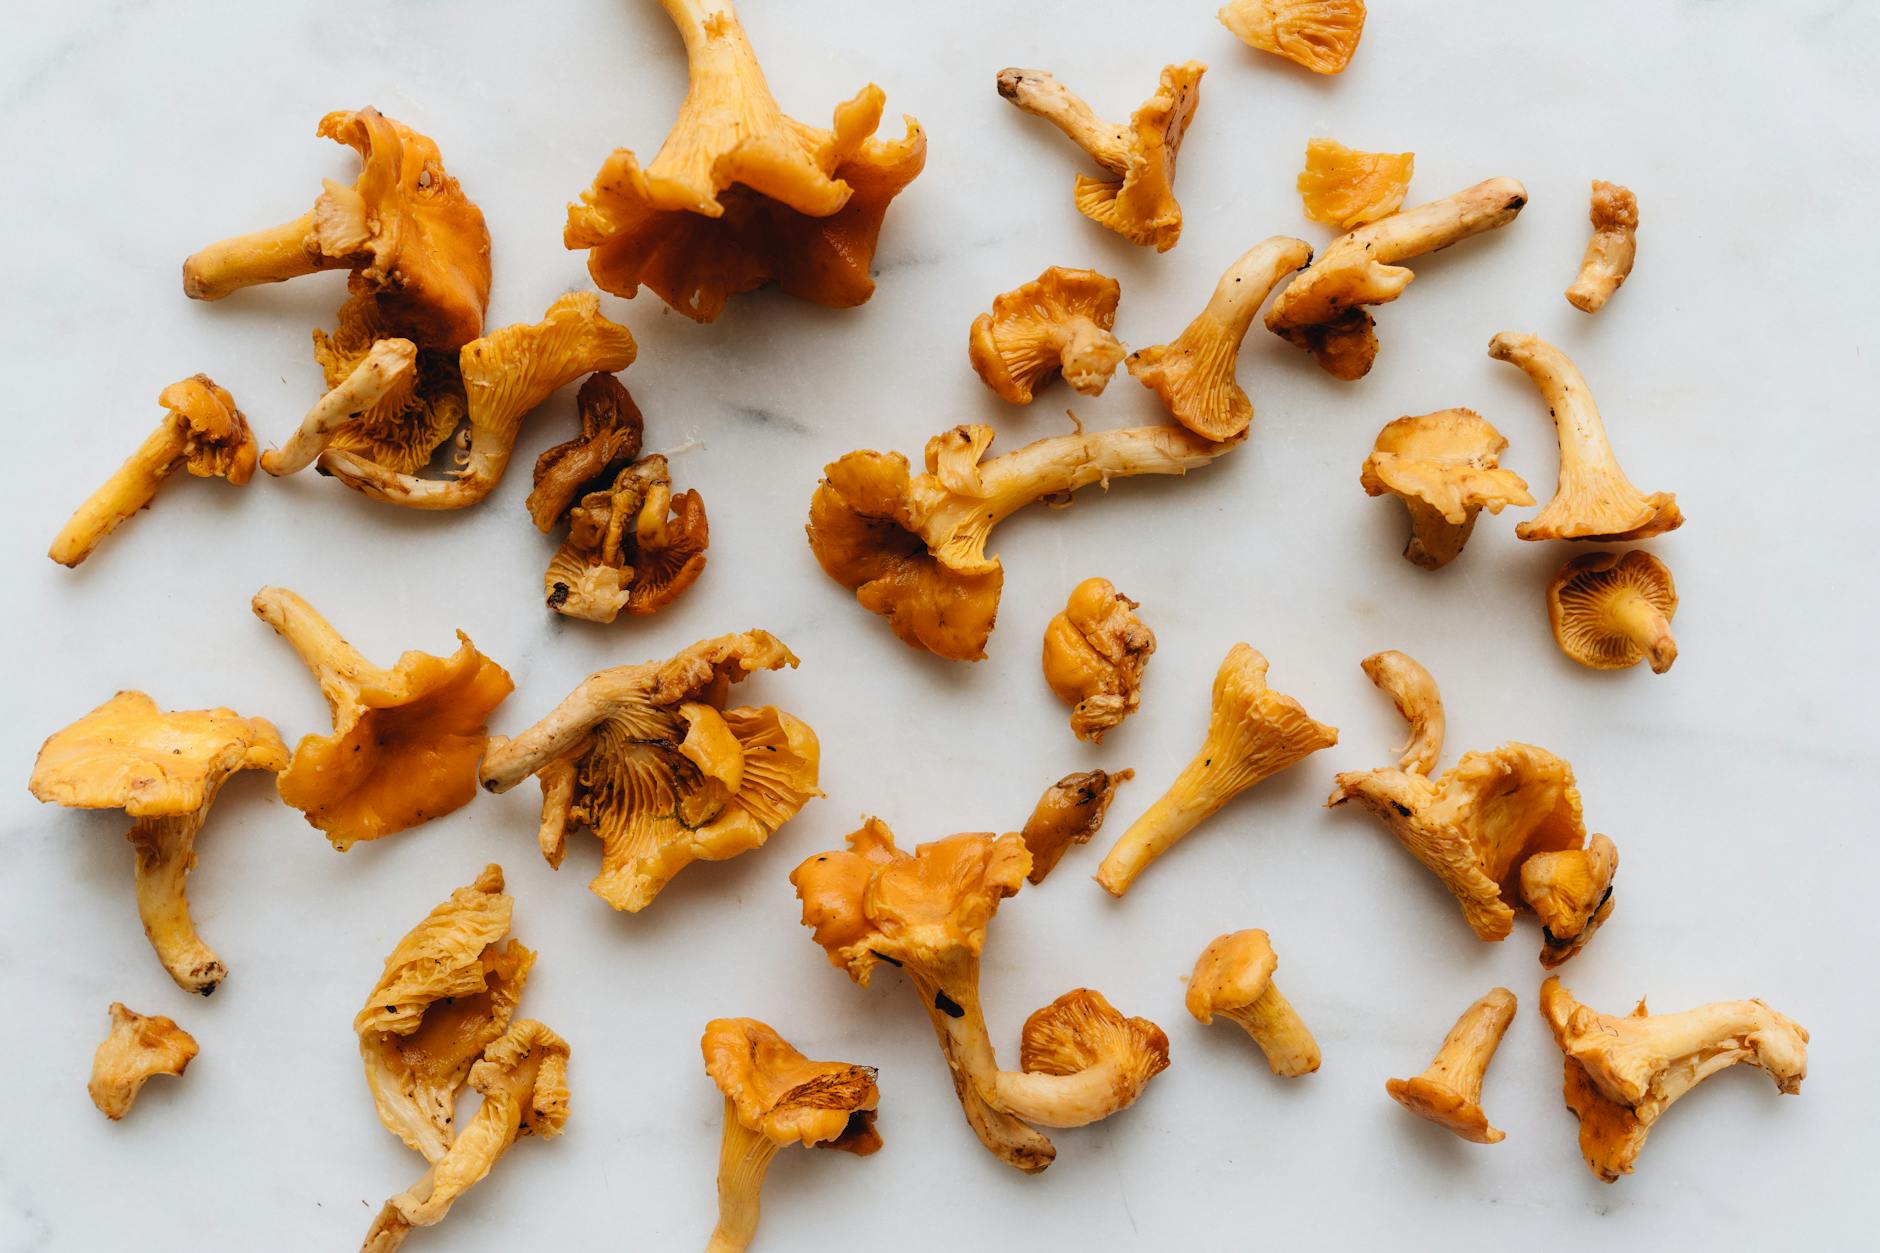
pixel 1057 323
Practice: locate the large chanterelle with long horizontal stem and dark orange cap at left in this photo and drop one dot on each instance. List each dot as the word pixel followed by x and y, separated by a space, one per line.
pixel 913 548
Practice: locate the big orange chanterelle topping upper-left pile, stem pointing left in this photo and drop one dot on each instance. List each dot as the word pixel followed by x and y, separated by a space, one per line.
pixel 411 238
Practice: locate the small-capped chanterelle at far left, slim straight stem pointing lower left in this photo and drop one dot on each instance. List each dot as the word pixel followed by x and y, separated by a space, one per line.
pixel 202 434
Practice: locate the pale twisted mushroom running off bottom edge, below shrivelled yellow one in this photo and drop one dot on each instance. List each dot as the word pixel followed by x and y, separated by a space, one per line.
pixel 524 1079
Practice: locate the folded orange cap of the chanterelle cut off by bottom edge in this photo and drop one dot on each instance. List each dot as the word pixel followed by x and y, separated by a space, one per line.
pixel 787 1098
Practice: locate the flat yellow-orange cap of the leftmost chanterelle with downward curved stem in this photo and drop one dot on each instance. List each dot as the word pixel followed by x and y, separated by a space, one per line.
pixel 151 765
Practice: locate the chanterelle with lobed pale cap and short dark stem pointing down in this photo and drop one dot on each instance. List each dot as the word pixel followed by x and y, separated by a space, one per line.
pixel 1445 469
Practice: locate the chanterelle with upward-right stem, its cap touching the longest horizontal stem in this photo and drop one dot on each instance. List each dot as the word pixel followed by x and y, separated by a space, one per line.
pixel 1195 375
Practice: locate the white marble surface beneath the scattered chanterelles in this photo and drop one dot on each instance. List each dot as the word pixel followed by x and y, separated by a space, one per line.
pixel 1736 370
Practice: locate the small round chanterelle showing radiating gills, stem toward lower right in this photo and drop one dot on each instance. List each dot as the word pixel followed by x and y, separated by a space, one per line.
pixel 1614 611
